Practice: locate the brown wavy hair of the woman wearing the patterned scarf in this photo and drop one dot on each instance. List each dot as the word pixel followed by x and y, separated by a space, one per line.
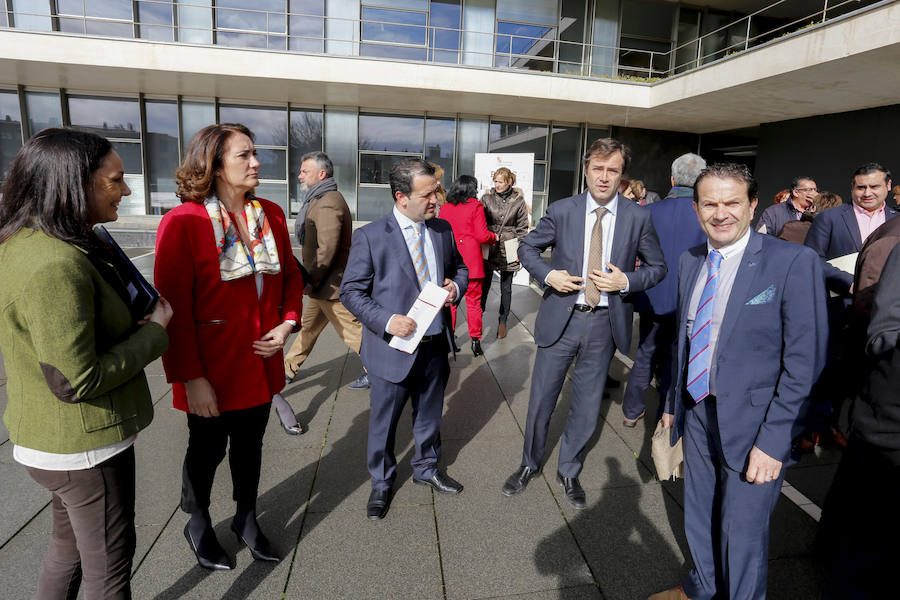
pixel 195 175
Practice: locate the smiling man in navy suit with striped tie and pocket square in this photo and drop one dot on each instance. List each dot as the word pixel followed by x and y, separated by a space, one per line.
pixel 751 340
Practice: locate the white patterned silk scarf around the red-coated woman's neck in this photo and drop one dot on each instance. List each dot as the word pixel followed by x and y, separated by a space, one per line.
pixel 234 260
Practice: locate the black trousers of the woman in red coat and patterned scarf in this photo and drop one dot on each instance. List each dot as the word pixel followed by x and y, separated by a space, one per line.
pixel 242 432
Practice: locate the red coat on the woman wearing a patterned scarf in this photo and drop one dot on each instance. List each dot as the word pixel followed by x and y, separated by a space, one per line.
pixel 215 322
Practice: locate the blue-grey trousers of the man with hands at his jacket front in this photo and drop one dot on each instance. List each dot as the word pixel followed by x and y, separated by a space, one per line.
pixel 588 336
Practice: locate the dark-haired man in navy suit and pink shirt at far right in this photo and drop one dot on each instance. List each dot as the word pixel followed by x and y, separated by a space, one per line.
pixel 837 232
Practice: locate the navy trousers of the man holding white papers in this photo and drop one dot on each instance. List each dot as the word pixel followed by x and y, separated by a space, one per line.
pixel 424 387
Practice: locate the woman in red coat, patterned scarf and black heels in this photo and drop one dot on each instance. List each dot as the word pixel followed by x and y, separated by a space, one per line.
pixel 223 259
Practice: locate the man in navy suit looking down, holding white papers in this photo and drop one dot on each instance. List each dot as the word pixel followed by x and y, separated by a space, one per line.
pixel 391 260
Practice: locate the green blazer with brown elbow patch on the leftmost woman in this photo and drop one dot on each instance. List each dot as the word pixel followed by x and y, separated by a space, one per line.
pixel 74 358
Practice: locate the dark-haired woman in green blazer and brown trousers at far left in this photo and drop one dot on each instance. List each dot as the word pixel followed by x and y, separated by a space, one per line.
pixel 75 358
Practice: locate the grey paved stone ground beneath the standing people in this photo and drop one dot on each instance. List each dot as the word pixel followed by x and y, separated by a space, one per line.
pixel 628 543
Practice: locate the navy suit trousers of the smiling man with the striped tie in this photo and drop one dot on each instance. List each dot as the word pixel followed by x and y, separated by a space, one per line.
pixel 726 519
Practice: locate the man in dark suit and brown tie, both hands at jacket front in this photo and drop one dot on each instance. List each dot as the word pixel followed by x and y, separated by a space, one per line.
pixel 596 237
